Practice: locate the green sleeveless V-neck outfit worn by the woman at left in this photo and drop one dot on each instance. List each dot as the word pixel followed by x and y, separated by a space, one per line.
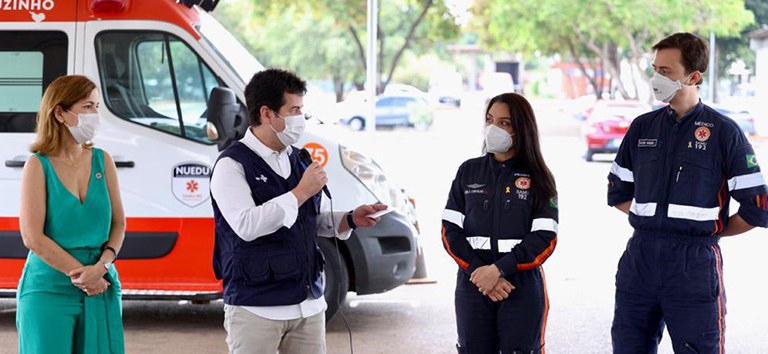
pixel 54 316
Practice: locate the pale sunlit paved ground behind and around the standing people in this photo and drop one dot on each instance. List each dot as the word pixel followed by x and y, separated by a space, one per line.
pixel 420 318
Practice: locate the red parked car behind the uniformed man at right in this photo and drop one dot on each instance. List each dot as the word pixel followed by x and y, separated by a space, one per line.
pixel 608 122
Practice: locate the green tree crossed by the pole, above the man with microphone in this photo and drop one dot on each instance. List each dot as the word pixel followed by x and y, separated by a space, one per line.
pixel 324 39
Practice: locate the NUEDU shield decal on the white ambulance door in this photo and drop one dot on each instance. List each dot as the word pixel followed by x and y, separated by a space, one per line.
pixel 191 183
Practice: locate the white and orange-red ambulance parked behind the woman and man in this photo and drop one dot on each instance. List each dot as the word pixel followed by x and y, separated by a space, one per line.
pixel 164 67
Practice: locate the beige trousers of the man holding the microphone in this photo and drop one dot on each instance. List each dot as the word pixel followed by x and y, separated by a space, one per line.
pixel 248 333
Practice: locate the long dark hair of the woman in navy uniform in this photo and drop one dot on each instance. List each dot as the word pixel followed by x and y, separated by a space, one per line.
pixel 527 144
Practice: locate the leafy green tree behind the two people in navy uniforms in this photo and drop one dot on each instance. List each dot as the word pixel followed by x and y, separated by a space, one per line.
pixel 603 31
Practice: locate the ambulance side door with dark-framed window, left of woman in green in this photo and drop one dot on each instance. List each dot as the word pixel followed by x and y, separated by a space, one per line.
pixel 33 52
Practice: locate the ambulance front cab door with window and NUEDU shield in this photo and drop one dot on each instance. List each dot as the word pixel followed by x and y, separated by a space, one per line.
pixel 154 94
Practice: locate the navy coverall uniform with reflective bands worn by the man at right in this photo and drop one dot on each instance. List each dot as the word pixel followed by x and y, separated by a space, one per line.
pixel 679 176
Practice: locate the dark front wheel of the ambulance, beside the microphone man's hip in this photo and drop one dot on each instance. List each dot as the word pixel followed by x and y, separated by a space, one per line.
pixel 336 277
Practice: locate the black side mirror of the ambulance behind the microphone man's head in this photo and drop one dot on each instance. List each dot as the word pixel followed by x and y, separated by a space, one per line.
pixel 227 119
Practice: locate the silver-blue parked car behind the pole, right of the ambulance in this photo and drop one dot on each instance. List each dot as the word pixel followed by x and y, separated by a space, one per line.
pixel 391 111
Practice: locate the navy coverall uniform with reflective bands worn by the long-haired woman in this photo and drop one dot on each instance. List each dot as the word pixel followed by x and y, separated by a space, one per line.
pixel 490 219
